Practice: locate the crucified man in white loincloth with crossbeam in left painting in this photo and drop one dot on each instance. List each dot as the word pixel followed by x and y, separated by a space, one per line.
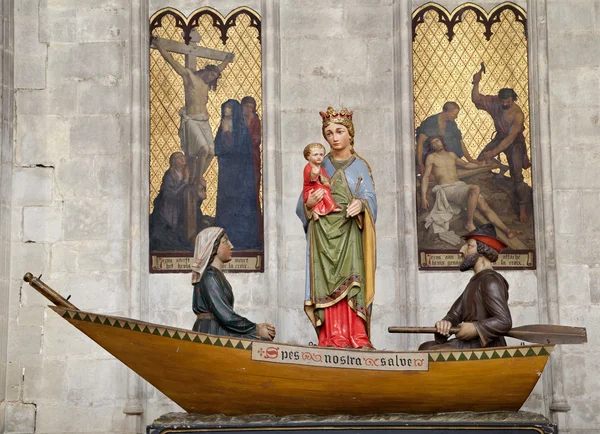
pixel 194 131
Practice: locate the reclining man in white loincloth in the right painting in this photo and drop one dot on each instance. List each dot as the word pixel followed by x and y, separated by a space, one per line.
pixel 452 195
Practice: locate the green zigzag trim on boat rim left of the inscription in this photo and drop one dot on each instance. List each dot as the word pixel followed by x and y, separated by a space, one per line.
pixel 219 341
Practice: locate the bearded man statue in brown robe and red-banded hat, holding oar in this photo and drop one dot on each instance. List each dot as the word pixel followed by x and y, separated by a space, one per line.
pixel 481 312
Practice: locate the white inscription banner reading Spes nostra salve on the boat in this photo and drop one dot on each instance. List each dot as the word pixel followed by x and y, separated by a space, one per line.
pixel 374 360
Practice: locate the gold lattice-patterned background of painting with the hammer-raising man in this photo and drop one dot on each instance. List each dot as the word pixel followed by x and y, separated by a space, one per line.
pixel 443 70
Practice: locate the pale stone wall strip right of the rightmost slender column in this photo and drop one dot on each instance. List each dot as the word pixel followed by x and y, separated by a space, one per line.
pixel 574 112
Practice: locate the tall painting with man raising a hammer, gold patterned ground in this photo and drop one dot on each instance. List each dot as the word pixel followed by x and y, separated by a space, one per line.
pixel 472 142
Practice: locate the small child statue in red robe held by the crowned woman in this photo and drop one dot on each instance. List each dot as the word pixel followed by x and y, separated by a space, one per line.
pixel 316 178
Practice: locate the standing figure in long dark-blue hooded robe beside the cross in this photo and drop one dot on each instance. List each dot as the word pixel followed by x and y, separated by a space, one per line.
pixel 237 206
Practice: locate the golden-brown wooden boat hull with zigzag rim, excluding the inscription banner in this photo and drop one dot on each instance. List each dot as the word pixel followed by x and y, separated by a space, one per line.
pixel 209 374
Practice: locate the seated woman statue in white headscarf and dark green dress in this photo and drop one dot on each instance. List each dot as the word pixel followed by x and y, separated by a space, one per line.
pixel 213 296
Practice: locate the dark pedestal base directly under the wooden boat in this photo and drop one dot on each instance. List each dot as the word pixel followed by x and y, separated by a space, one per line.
pixel 464 423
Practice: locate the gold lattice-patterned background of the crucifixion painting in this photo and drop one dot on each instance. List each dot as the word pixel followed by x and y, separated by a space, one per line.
pixel 241 78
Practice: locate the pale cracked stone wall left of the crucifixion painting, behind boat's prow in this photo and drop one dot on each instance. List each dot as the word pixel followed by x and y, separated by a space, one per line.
pixel 70 210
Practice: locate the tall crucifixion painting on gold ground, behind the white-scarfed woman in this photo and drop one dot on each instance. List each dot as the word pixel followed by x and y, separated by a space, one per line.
pixel 205 135
